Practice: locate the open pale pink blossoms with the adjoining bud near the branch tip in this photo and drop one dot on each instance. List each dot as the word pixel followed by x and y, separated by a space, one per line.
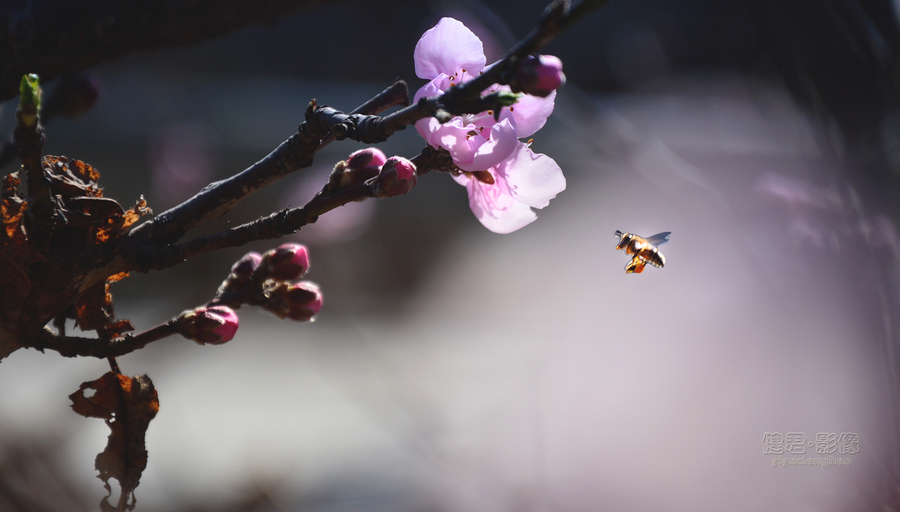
pixel 503 177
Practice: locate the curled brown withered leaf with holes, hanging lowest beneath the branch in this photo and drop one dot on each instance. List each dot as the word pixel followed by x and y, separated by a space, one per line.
pixel 127 404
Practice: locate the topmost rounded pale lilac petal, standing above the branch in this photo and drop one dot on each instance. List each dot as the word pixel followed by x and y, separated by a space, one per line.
pixel 448 47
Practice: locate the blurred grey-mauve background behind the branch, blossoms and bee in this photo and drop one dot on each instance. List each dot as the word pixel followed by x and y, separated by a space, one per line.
pixel 454 369
